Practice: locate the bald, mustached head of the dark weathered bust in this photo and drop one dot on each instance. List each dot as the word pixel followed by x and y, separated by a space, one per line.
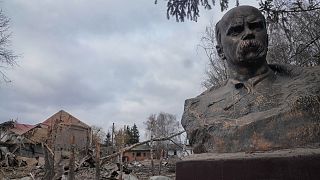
pixel 244 36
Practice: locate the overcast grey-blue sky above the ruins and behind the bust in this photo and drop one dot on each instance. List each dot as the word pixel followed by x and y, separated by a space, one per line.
pixel 102 61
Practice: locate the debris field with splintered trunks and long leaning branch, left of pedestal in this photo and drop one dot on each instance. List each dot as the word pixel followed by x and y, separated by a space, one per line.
pixel 42 163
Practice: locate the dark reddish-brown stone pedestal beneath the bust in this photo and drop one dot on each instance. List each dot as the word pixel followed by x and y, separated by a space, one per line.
pixel 300 163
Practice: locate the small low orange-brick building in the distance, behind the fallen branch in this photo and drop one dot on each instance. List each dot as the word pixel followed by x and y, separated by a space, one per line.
pixel 138 153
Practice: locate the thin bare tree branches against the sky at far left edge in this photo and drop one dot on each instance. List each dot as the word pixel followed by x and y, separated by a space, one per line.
pixel 7 56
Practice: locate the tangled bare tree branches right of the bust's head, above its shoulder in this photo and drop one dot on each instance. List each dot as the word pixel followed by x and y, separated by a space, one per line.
pixel 294 32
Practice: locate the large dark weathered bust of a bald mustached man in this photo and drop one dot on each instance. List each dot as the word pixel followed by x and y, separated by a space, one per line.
pixel 262 106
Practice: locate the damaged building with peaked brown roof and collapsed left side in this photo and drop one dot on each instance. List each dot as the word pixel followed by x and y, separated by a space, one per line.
pixel 57 132
